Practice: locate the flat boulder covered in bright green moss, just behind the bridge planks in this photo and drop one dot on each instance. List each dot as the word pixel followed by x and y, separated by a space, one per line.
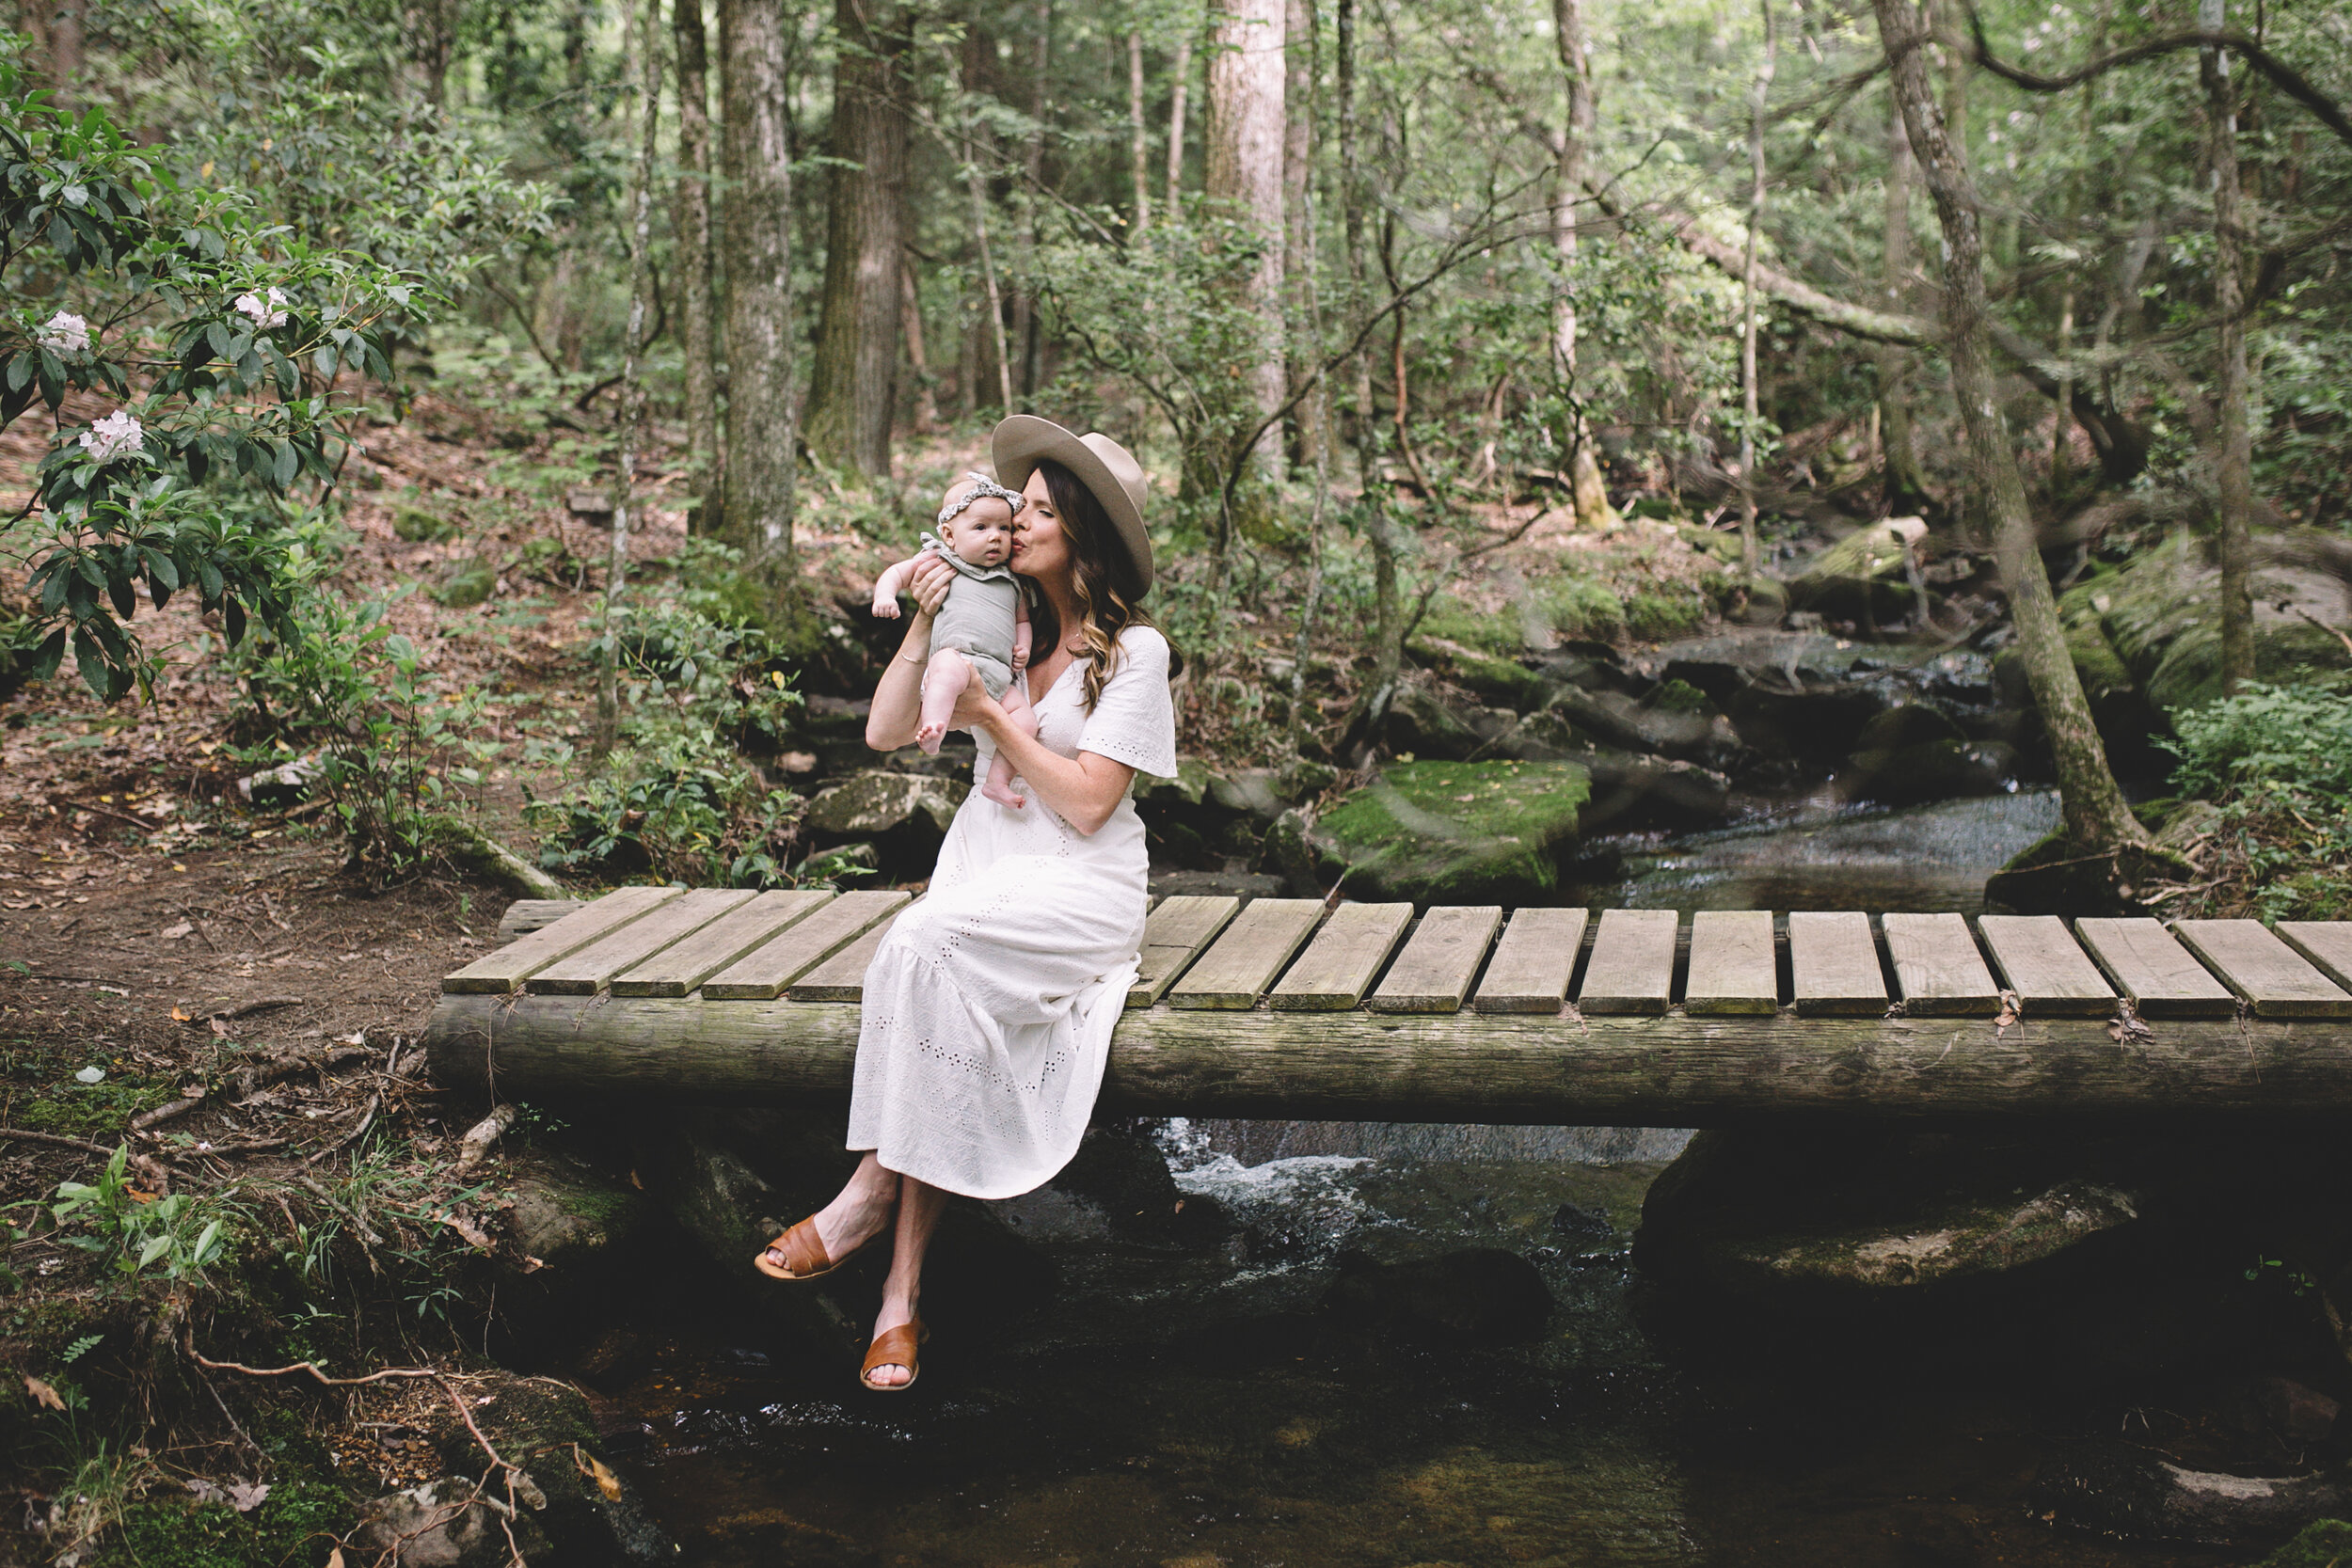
pixel 1452 833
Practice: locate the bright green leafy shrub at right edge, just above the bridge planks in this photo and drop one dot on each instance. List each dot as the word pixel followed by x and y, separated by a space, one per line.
pixel 2278 763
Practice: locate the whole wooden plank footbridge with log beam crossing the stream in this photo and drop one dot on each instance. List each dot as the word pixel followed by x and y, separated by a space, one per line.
pixel 1363 1012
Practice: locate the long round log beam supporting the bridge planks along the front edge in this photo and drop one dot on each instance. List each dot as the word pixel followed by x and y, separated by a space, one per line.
pixel 1546 1071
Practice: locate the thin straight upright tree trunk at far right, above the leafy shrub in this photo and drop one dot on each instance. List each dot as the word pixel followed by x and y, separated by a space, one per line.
pixel 2233 438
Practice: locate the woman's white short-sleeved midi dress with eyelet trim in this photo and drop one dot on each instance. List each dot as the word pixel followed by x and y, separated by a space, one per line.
pixel 991 1003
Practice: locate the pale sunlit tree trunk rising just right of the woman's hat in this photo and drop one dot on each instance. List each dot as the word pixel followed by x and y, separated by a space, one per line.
pixel 1245 185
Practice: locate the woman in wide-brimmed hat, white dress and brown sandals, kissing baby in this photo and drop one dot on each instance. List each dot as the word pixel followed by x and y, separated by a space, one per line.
pixel 989 1005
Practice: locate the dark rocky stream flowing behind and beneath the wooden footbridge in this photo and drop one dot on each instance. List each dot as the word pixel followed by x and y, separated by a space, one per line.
pixel 1238 1405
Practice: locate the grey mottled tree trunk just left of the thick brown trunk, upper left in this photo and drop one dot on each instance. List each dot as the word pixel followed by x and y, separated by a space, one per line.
pixel 763 438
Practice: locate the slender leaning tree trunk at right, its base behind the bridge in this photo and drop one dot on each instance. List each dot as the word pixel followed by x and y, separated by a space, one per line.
pixel 2097 817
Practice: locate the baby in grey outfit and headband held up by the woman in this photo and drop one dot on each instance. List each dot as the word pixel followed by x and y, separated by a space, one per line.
pixel 982 634
